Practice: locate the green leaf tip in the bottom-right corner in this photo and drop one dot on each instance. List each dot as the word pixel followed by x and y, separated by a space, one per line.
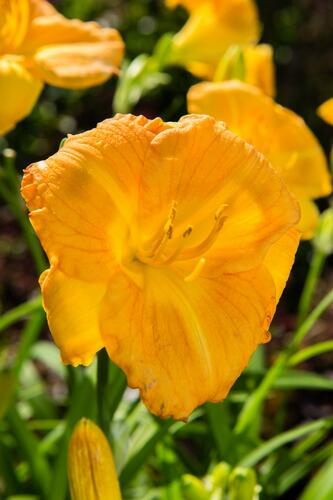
pixel 321 486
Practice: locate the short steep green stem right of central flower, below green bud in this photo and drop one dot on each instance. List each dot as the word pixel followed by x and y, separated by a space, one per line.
pixel 315 269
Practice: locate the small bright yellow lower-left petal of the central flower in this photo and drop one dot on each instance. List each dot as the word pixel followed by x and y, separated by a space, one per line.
pixel 72 309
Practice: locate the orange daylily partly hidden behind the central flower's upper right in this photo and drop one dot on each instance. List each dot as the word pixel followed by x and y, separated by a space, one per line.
pixel 278 133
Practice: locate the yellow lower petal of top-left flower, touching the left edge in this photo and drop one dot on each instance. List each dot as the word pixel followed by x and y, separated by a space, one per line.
pixel 19 91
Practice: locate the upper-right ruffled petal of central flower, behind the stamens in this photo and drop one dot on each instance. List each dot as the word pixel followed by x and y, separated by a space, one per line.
pixel 201 167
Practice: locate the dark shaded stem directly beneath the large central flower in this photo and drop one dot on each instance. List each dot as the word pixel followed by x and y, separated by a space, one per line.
pixel 102 382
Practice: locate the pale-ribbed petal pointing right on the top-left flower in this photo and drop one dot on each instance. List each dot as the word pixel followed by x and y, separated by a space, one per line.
pixel 70 53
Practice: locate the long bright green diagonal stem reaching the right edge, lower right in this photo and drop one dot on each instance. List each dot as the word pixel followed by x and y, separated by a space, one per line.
pixel 251 407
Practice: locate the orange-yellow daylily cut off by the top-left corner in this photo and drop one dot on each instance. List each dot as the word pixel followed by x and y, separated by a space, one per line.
pixel 38 45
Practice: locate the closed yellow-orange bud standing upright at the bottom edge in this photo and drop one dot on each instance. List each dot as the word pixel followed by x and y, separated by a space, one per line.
pixel 91 469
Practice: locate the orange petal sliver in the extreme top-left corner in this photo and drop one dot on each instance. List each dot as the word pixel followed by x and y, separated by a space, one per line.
pixel 14 21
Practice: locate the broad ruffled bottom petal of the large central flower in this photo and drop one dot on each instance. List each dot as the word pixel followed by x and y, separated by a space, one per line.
pixel 177 354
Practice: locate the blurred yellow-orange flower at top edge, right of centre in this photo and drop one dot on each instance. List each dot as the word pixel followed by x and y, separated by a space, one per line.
pixel 213 27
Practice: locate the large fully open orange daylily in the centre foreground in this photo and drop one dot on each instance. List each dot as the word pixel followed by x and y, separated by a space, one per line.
pixel 170 245
